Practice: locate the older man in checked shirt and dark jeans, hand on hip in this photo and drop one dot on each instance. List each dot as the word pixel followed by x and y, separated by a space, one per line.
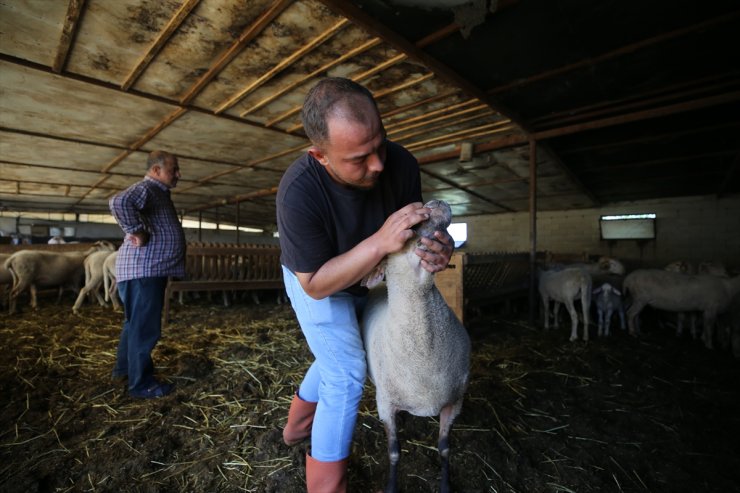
pixel 152 250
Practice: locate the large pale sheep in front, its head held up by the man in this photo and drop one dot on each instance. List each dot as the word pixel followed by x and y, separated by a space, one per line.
pixel 418 352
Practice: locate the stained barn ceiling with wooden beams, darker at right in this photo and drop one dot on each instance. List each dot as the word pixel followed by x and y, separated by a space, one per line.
pixel 509 105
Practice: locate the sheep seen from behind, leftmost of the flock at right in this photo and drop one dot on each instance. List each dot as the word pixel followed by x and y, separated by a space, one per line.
pixel 564 286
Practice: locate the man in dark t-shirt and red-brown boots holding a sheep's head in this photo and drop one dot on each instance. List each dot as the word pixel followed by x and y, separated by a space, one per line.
pixel 342 207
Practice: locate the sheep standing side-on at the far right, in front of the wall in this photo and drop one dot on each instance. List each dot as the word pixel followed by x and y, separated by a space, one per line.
pixel 676 292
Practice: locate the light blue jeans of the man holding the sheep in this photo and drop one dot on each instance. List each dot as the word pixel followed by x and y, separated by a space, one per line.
pixel 336 378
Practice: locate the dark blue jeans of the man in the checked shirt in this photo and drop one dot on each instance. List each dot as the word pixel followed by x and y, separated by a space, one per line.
pixel 142 327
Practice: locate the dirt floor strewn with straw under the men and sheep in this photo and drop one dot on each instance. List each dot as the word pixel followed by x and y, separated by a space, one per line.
pixel 542 414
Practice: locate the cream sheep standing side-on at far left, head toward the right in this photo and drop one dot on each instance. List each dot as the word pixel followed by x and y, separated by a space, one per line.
pixel 37 268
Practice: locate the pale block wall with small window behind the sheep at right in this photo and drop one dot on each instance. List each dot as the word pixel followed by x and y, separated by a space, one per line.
pixel 689 228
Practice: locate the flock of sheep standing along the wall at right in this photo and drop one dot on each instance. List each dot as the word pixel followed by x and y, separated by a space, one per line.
pixel 680 287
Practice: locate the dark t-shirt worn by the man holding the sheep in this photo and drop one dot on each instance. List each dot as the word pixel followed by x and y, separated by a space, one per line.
pixel 319 219
